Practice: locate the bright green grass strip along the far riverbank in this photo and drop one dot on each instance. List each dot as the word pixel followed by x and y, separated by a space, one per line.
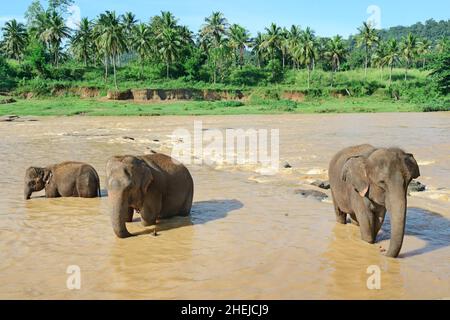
pixel 70 106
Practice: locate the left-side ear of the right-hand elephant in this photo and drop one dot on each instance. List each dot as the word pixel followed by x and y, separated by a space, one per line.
pixel 354 172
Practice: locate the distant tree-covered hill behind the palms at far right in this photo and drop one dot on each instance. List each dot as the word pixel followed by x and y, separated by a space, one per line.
pixel 432 30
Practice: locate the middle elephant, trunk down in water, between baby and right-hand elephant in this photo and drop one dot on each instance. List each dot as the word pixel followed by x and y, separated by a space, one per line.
pixel 155 185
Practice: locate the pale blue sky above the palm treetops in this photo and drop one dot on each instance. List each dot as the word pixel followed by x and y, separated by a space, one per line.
pixel 326 17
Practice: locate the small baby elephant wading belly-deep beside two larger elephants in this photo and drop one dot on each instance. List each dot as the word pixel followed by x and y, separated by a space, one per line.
pixel 67 179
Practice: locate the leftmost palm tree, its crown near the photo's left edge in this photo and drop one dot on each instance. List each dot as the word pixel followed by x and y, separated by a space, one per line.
pixel 14 39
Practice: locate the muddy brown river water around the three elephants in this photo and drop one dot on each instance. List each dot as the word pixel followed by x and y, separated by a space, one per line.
pixel 250 236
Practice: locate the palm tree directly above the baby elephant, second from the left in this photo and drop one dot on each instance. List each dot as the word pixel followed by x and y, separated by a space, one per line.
pixel 54 33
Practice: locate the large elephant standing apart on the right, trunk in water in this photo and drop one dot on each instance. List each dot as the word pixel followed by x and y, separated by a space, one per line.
pixel 365 182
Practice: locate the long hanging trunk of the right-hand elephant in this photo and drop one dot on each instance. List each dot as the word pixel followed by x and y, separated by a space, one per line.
pixel 396 205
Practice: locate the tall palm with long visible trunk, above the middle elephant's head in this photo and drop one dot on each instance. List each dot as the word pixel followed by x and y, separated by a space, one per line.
pixel 111 38
